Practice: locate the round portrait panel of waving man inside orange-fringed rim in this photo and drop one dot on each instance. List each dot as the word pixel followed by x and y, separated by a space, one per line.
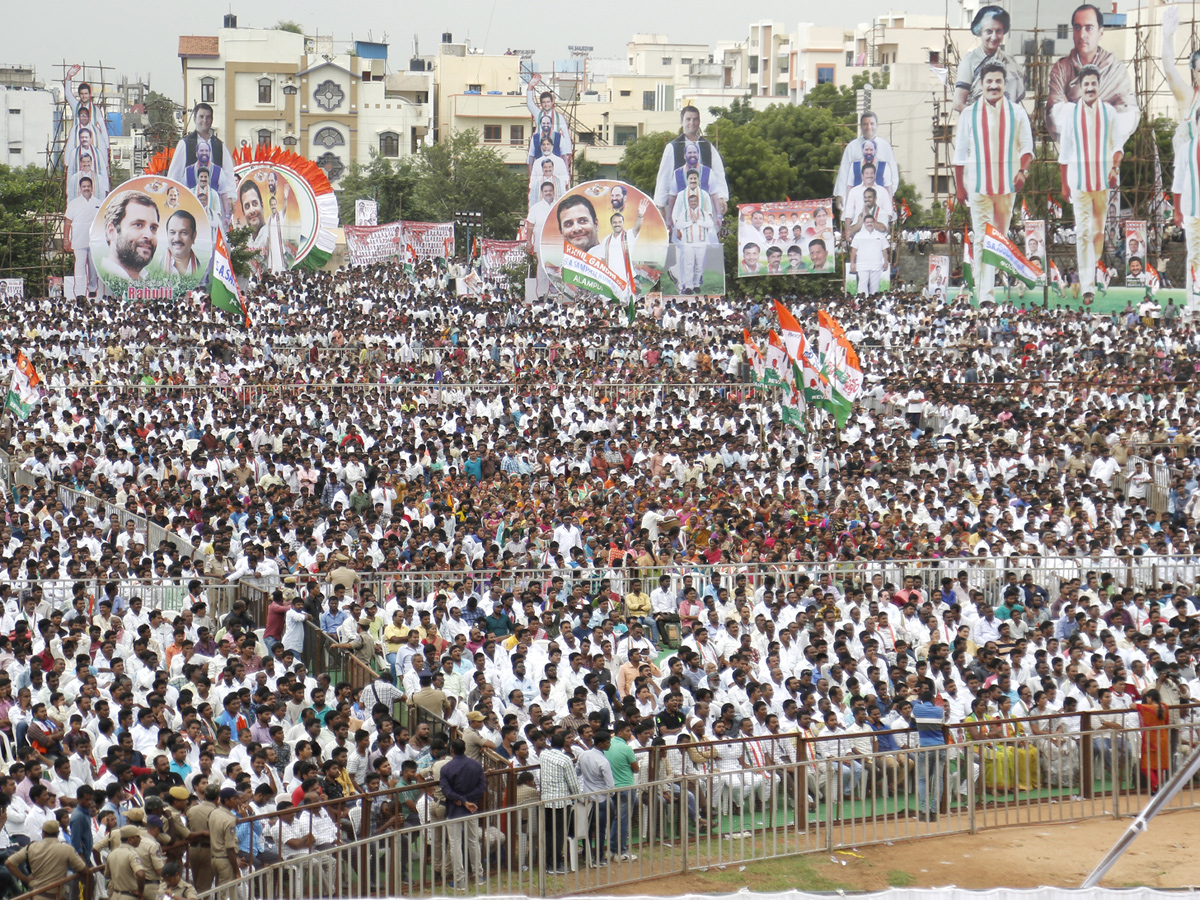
pixel 281 213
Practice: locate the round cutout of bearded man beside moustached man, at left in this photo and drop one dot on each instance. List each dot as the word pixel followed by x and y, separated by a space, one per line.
pixel 152 241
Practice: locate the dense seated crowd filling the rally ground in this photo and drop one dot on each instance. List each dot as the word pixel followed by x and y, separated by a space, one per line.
pixel 692 569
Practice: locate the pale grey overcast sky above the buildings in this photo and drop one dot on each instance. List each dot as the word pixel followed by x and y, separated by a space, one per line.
pixel 140 40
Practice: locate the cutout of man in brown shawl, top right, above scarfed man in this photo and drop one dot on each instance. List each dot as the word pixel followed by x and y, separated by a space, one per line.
pixel 1117 88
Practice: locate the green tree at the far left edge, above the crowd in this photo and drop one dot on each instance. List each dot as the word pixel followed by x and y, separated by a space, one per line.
pixel 28 201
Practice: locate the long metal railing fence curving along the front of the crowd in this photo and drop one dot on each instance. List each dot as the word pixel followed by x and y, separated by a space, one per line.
pixel 808 796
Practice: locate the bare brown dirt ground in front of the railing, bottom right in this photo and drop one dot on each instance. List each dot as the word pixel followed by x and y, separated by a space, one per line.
pixel 1022 857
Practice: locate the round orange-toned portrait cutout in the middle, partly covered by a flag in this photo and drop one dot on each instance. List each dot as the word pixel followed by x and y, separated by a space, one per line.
pixel 613 221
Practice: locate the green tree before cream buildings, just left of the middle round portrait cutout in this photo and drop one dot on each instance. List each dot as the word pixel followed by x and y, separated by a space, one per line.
pixel 461 175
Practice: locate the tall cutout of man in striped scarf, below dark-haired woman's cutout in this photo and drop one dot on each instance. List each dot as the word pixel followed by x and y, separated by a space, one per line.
pixel 993 152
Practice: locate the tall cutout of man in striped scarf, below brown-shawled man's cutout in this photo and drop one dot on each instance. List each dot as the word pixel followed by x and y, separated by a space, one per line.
pixel 1090 151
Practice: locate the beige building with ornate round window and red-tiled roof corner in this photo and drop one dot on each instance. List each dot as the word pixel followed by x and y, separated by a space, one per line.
pixel 277 88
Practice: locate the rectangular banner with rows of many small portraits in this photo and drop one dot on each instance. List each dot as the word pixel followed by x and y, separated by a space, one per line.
pixel 791 238
